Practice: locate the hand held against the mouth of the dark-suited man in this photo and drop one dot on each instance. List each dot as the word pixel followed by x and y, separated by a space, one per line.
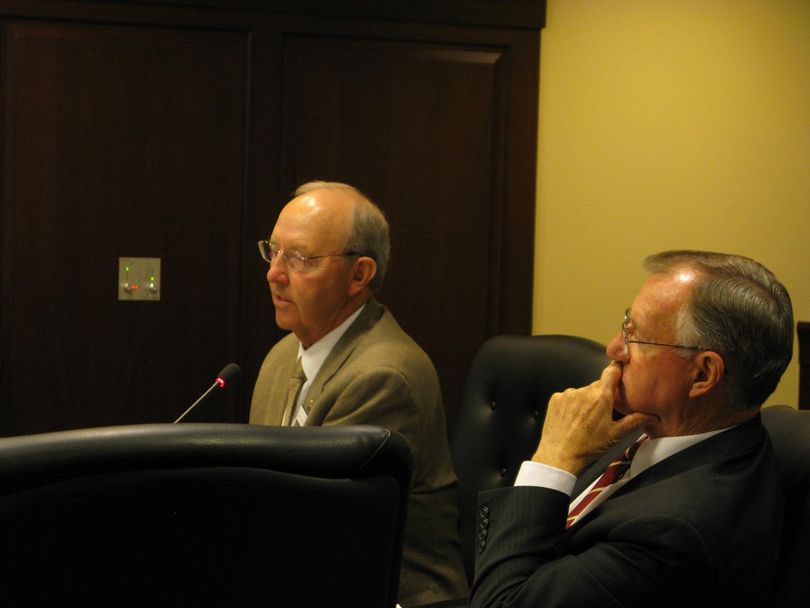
pixel 579 425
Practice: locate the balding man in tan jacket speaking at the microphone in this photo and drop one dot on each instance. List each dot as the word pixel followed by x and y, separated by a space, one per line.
pixel 327 254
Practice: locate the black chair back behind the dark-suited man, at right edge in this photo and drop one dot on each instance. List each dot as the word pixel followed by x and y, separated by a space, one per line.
pixel 790 434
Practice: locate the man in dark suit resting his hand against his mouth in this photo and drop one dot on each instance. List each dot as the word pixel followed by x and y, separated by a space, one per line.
pixel 696 519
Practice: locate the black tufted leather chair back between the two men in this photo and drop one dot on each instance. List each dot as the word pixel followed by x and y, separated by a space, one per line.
pixel 503 405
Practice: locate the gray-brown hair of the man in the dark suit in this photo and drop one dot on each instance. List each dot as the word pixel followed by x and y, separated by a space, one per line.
pixel 739 309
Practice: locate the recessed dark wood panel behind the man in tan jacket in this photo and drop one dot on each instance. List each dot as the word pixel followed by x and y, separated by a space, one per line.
pixel 414 125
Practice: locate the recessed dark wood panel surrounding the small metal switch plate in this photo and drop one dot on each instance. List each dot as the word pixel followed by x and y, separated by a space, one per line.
pixel 118 141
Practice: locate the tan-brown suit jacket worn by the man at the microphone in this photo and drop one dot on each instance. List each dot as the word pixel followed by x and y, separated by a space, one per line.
pixel 376 374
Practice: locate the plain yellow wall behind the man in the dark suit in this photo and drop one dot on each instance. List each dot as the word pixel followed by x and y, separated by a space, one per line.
pixel 669 124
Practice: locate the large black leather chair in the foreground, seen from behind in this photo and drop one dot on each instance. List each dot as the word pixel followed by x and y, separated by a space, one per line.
pixel 203 515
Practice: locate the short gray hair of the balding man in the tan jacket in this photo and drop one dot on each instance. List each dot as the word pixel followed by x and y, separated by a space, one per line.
pixel 369 233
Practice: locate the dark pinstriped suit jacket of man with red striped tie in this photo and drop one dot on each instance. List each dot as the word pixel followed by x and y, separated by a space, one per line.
pixel 700 528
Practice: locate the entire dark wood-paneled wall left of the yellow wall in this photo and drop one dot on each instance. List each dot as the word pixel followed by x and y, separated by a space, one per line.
pixel 179 129
